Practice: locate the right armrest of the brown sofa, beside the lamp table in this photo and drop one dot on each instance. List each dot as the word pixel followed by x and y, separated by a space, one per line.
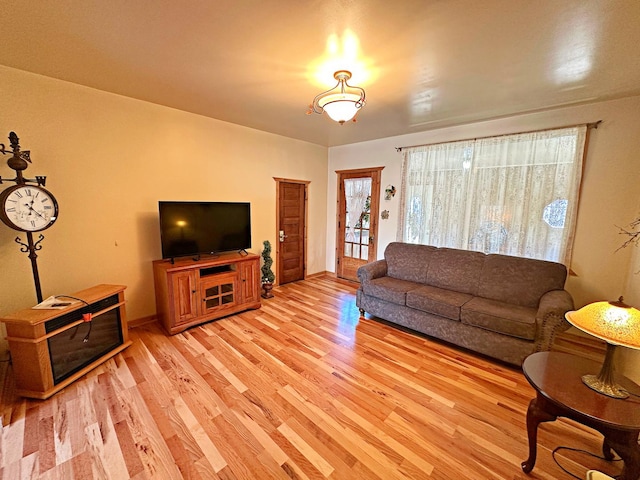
pixel 550 317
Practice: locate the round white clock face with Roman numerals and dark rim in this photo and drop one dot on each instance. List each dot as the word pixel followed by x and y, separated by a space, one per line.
pixel 28 208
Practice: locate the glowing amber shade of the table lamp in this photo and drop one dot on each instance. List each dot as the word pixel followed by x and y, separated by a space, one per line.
pixel 613 322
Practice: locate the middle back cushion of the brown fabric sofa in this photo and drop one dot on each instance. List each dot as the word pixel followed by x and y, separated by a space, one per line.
pixel 457 270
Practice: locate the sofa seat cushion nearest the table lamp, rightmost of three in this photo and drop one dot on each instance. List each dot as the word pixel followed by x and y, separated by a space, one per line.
pixel 500 317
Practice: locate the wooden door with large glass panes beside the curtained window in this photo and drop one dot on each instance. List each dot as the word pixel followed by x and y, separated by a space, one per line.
pixel 357 216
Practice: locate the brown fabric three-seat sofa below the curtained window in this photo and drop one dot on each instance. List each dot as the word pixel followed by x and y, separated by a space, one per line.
pixel 501 306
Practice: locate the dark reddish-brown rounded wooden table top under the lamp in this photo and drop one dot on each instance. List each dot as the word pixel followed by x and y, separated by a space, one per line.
pixel 558 377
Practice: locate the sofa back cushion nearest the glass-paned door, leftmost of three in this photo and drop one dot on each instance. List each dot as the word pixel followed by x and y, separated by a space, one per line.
pixel 406 261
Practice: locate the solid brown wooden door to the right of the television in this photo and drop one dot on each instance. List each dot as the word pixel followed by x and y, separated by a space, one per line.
pixel 291 238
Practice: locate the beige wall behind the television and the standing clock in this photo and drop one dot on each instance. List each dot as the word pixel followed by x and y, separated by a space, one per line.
pixel 109 159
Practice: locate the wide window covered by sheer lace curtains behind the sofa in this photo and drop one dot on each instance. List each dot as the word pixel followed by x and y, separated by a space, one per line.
pixel 513 194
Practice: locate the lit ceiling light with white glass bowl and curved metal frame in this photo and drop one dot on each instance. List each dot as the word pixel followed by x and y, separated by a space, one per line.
pixel 342 102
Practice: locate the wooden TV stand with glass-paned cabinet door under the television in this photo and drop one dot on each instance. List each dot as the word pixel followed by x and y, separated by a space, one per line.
pixel 190 292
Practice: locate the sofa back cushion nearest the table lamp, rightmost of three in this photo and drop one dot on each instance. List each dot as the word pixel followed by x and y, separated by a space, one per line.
pixel 520 281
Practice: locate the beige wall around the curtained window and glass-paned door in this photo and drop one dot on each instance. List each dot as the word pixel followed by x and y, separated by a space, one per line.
pixel 609 191
